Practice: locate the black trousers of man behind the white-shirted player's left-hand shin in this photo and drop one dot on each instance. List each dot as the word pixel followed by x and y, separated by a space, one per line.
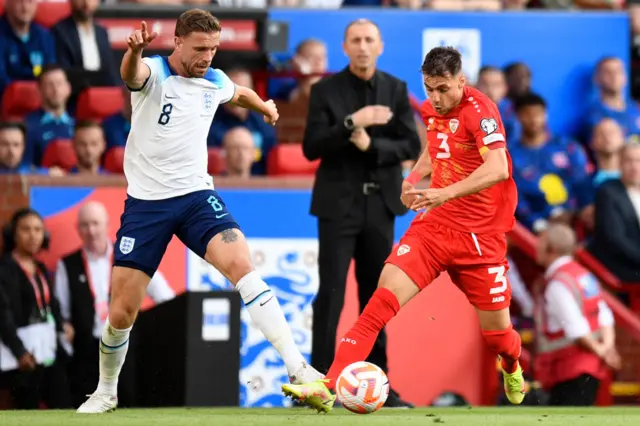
pixel 84 374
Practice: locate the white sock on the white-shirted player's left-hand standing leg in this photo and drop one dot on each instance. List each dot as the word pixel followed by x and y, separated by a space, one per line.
pixel 113 350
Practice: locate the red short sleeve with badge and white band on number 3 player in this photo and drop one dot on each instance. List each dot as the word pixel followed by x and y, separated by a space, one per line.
pixel 483 121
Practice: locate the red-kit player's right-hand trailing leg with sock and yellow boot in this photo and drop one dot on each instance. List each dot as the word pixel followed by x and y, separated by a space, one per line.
pixel 502 339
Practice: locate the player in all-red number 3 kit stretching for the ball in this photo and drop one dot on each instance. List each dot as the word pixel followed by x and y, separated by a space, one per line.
pixel 460 228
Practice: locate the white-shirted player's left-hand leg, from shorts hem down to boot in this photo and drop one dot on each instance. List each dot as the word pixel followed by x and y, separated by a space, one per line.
pixel 128 288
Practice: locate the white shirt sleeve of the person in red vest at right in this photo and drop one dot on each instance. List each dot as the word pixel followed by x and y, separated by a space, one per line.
pixel 562 305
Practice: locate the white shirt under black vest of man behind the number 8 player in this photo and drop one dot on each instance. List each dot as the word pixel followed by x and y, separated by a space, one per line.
pixel 100 272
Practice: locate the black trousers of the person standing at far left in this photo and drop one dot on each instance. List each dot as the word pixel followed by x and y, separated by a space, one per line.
pixel 44 384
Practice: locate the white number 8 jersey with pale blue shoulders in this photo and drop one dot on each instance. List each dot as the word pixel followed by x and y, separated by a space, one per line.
pixel 166 152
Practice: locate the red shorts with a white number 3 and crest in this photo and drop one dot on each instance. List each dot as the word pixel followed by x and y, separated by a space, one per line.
pixel 477 264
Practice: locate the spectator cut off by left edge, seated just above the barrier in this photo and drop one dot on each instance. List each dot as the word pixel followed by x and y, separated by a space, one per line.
pixel 12 145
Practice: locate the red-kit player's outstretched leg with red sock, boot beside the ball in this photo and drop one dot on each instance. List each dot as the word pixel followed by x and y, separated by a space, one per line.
pixel 395 289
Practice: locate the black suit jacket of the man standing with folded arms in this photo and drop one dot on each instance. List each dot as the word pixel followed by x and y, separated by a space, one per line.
pixel 342 170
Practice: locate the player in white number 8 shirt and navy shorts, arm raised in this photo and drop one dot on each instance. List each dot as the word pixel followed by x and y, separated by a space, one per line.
pixel 170 193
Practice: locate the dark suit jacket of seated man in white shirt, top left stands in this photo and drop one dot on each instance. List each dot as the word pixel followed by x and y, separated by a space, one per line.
pixel 69 52
